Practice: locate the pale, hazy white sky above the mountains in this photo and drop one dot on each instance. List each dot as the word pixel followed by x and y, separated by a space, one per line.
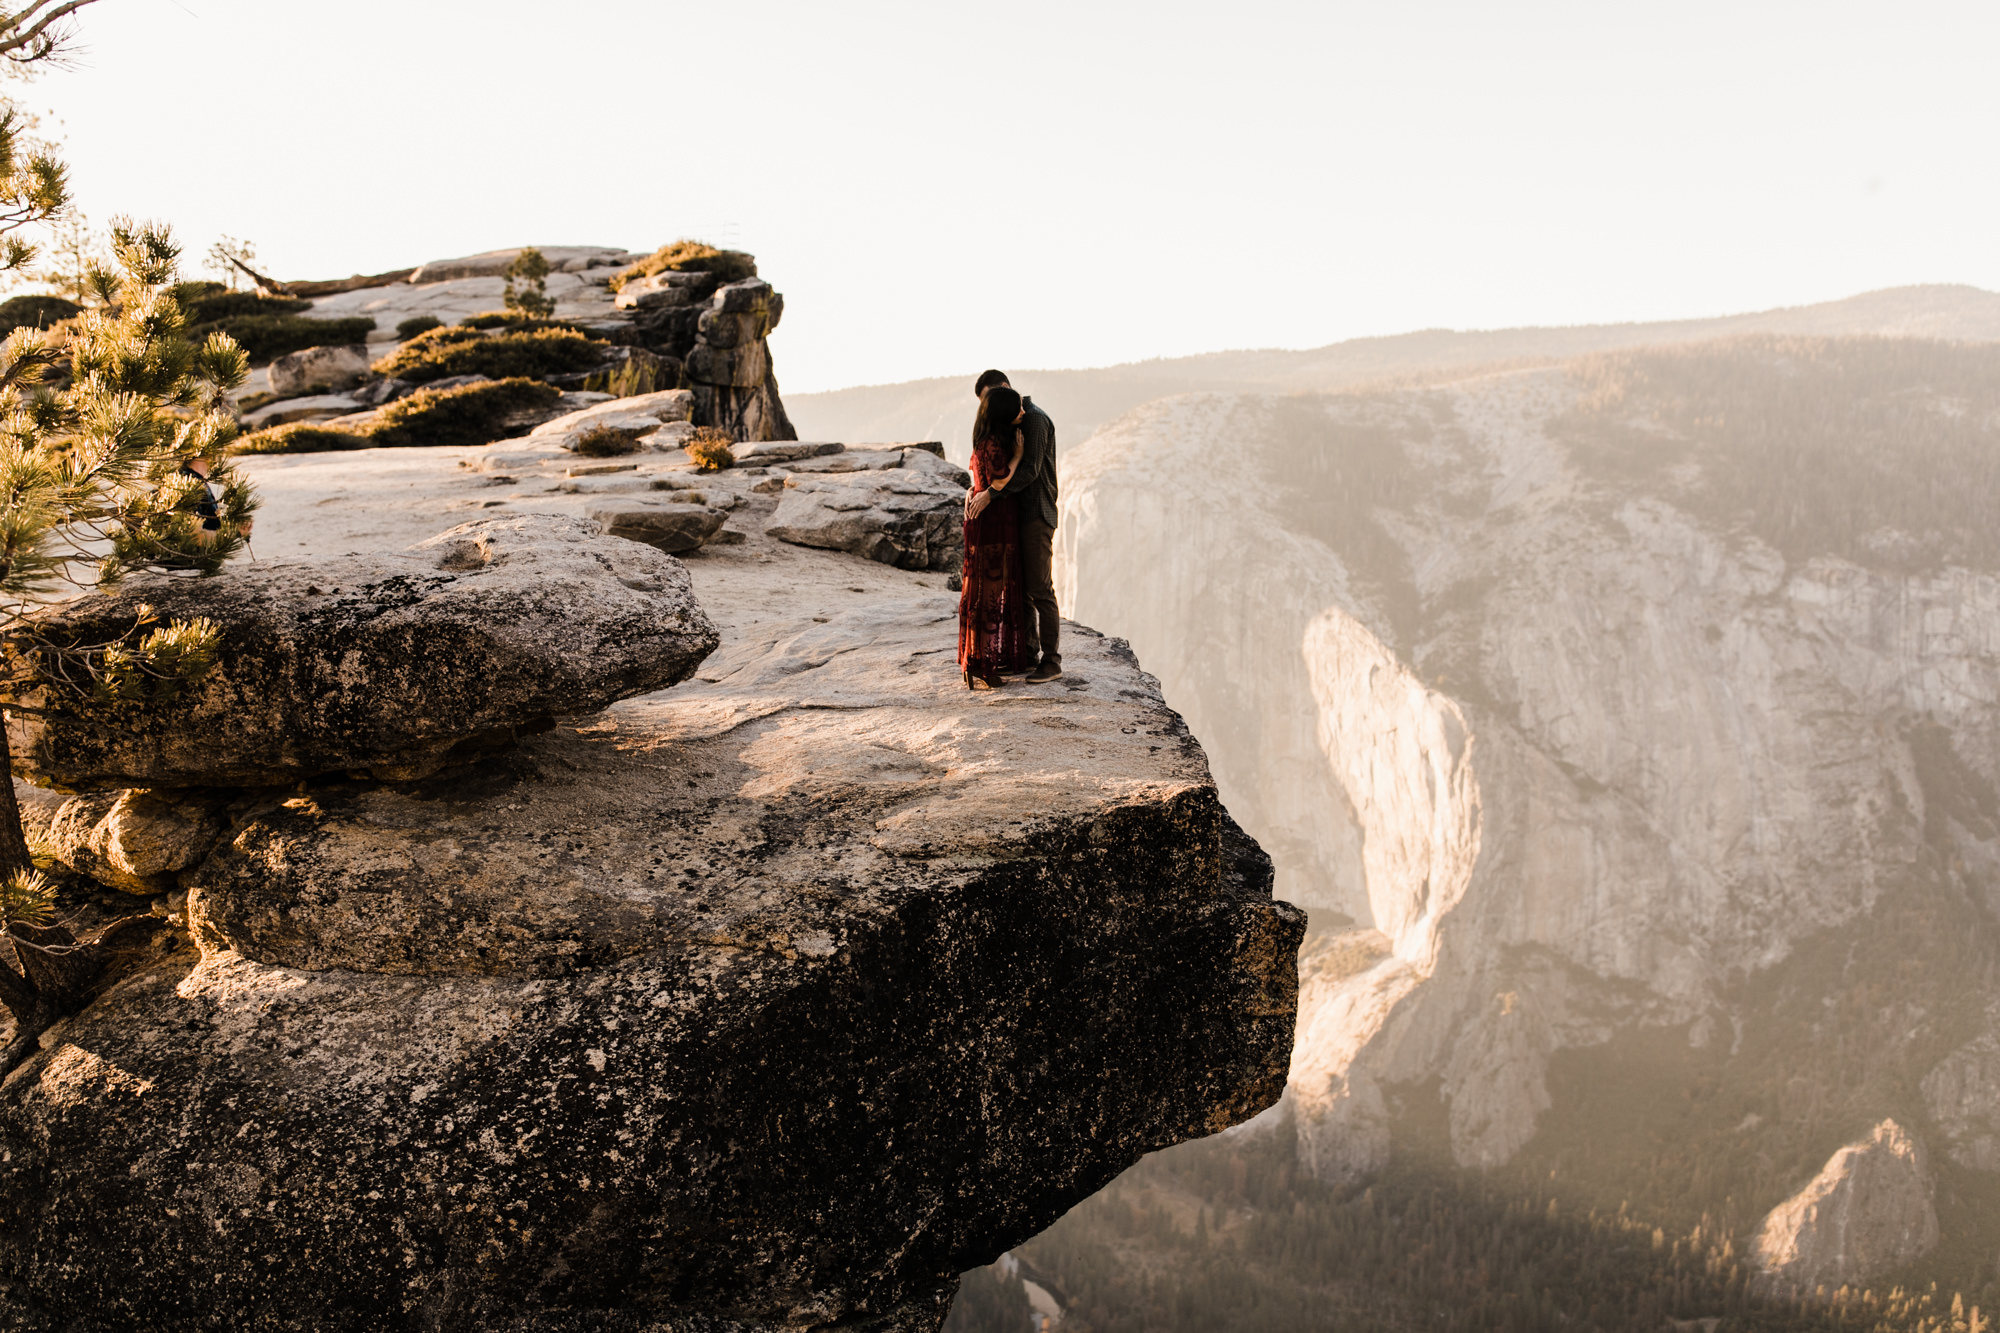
pixel 943 187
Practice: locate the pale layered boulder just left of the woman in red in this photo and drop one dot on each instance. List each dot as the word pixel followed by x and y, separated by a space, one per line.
pixel 899 507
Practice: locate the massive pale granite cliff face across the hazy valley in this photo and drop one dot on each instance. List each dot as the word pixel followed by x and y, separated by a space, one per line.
pixel 1633 730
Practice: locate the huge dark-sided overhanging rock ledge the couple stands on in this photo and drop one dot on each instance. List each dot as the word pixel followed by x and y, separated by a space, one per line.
pixel 767 1004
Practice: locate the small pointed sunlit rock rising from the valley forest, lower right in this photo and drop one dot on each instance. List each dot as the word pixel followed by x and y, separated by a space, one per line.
pixel 1869 1212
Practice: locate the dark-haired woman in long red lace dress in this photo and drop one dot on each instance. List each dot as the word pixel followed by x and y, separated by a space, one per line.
pixel 993 607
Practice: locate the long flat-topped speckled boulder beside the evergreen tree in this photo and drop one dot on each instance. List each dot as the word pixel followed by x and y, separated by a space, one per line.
pixel 377 663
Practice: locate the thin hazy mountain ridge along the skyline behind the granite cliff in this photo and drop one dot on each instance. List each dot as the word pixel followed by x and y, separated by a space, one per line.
pixel 1081 401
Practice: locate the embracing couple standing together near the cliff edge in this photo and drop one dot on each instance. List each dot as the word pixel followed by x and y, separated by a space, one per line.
pixel 1007 609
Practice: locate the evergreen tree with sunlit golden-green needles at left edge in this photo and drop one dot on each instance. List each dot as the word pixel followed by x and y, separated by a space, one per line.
pixel 105 435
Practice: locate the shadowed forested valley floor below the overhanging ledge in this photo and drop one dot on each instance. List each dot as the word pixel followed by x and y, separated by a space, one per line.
pixel 1227 1236
